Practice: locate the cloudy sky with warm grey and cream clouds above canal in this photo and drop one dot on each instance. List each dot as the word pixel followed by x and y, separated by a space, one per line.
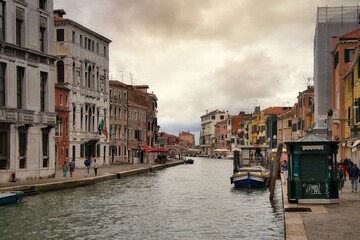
pixel 199 55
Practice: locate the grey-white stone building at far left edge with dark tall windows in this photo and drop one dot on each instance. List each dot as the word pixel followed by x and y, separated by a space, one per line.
pixel 27 76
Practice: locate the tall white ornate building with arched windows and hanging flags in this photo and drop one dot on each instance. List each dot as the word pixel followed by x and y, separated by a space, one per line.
pixel 84 66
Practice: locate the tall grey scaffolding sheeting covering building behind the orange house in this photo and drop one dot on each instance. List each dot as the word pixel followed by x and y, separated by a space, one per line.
pixel 331 21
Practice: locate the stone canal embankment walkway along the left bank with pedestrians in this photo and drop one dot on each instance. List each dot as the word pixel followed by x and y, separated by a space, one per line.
pixel 79 178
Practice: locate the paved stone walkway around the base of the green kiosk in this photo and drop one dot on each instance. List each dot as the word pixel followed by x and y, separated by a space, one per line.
pixel 325 221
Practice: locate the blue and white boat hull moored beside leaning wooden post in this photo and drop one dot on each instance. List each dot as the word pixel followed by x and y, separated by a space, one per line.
pixel 251 177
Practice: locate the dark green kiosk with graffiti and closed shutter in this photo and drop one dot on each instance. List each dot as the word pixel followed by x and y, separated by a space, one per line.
pixel 312 170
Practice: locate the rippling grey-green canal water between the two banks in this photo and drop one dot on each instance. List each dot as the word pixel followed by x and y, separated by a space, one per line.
pixel 182 202
